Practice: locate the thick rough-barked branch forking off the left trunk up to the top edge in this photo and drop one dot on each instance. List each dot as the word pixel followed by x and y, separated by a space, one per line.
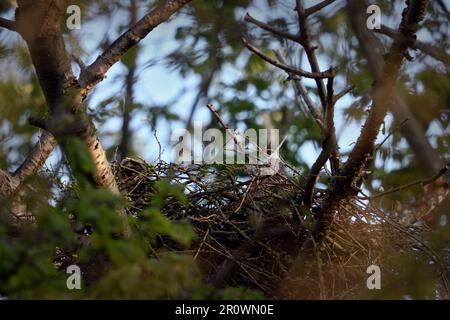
pixel 95 72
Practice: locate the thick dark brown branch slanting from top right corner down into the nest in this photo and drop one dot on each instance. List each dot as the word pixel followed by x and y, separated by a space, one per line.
pixel 345 185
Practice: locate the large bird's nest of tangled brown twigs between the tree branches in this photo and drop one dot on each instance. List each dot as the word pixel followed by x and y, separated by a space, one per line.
pixel 248 234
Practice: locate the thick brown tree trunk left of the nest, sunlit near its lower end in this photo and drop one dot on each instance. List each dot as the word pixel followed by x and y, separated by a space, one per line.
pixel 39 24
